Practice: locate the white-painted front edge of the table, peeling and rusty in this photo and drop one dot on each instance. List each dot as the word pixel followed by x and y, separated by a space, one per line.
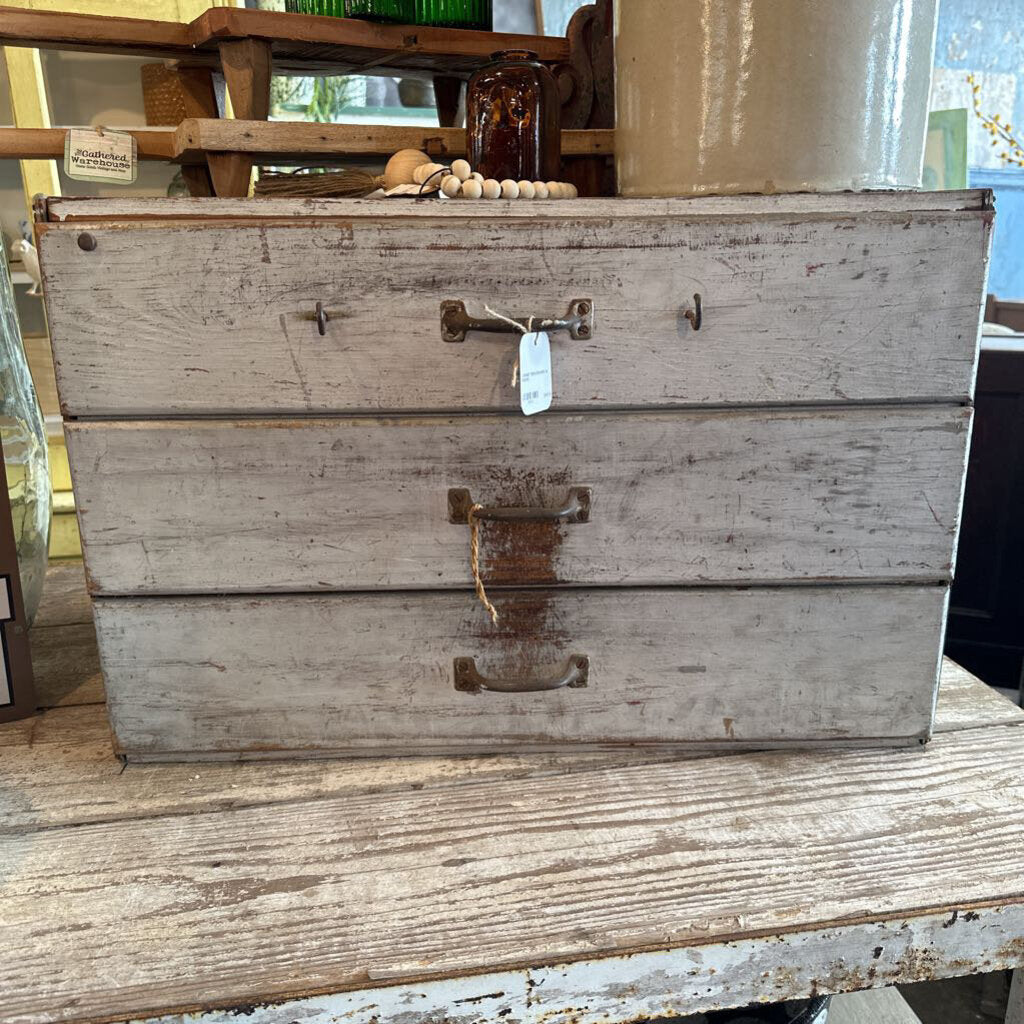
pixel 674 983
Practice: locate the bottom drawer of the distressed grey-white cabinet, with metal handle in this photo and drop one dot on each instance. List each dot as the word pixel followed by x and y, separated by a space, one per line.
pixel 428 673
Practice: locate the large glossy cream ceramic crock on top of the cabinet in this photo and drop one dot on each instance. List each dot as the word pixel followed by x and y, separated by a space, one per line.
pixel 720 97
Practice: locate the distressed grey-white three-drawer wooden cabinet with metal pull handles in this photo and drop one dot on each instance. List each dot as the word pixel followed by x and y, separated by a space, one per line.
pixel 276 418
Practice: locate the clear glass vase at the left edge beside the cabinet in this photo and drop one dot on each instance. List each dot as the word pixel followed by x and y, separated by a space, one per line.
pixel 26 458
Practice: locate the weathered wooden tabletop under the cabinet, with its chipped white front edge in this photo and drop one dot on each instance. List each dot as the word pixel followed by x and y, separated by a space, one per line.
pixel 565 889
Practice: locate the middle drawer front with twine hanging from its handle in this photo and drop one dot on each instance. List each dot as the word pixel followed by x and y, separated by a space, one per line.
pixel 675 498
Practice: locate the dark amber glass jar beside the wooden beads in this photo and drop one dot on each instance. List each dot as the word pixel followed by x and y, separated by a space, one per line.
pixel 514 114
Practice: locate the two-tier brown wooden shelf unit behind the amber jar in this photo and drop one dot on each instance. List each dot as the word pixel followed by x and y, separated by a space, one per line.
pixel 249 47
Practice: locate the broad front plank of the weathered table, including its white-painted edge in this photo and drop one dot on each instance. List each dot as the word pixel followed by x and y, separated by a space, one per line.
pixel 242 907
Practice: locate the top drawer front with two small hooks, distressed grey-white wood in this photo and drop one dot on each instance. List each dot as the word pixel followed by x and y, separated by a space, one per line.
pixel 168 319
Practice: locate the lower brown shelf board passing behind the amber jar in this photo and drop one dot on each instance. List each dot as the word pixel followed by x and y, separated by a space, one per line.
pixel 279 140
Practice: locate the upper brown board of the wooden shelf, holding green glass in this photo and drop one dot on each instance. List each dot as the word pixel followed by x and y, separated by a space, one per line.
pixel 300 44
